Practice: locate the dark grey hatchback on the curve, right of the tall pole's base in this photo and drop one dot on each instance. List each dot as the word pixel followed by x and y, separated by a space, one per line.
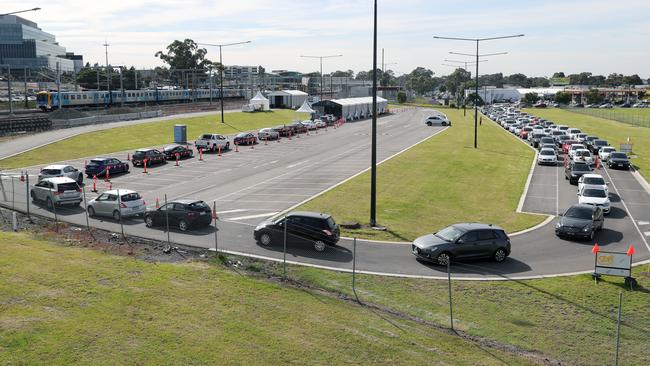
pixel 463 241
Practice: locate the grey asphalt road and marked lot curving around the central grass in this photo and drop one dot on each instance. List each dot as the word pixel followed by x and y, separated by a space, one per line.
pixel 253 184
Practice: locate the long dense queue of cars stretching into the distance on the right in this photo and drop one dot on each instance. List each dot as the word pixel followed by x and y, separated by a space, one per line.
pixel 582 154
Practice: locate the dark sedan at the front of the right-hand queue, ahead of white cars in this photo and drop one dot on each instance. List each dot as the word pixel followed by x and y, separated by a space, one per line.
pixel 580 221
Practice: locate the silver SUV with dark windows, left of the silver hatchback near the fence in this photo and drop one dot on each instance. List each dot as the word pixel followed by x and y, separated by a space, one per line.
pixel 57 191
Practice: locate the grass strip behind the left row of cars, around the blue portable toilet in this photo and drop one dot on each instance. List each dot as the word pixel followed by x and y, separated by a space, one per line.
pixel 145 134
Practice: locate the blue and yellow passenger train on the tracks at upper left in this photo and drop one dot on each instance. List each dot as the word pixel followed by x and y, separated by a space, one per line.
pixel 48 100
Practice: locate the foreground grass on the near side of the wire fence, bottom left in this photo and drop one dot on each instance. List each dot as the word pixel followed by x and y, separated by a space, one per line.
pixel 65 305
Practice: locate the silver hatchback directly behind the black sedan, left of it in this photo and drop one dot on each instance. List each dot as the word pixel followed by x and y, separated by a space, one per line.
pixel 128 204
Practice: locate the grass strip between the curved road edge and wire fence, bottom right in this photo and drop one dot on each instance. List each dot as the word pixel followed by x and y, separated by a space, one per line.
pixel 568 318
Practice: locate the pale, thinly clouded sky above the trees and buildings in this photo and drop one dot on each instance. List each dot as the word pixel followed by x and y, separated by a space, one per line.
pixel 599 36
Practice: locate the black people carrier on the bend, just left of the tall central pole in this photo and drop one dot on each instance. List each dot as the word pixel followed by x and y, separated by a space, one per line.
pixel 303 228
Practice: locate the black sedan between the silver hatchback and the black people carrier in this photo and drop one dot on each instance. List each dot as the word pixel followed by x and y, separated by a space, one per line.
pixel 183 214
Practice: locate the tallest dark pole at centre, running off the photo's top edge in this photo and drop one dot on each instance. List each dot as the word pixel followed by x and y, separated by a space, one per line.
pixel 373 153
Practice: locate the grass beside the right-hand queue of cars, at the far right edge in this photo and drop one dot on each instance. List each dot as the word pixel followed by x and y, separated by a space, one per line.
pixel 614 132
